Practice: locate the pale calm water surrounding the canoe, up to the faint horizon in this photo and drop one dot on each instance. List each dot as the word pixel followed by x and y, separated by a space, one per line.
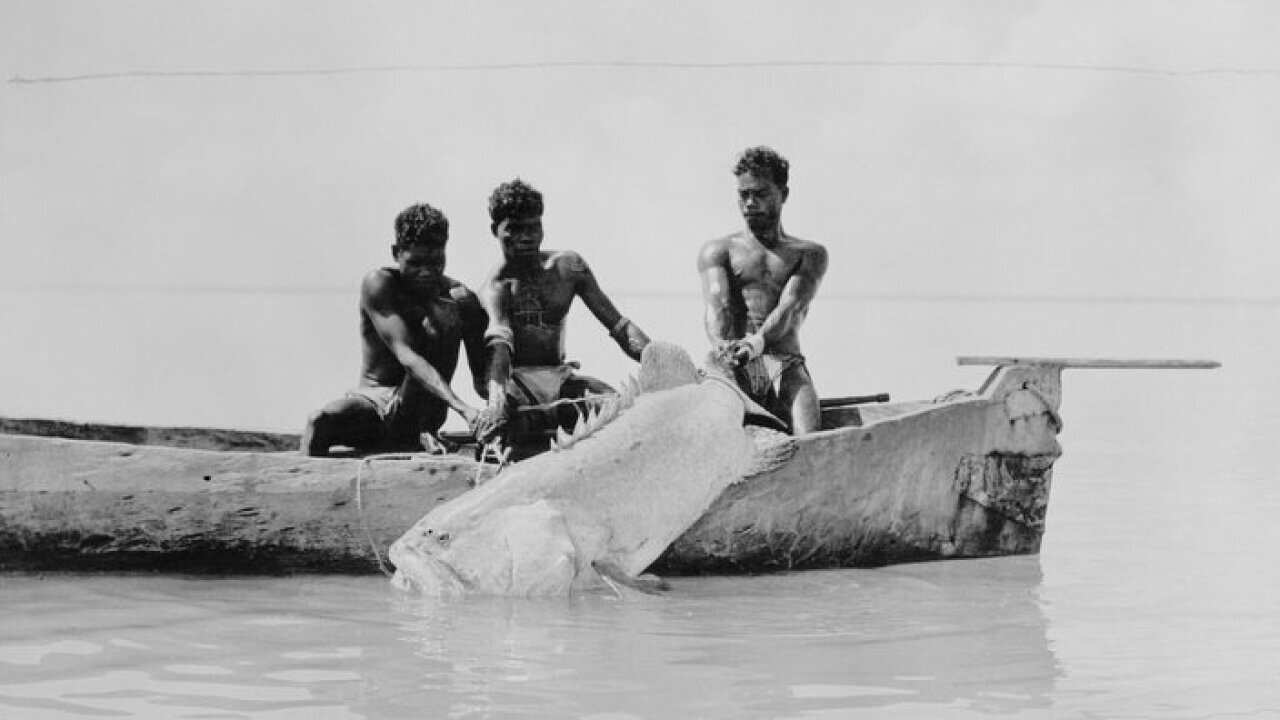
pixel 1156 594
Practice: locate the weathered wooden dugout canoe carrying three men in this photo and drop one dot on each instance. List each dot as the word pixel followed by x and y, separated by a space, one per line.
pixel 964 476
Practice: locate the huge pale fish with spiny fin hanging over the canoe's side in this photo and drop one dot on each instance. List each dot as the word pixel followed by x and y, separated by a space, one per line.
pixel 604 503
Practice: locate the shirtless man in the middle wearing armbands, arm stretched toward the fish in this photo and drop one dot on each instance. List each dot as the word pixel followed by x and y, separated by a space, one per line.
pixel 528 297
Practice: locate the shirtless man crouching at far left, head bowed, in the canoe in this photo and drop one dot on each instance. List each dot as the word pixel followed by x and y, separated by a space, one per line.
pixel 413 320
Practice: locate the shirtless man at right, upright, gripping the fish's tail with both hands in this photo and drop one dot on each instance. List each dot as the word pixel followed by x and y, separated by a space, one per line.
pixel 757 286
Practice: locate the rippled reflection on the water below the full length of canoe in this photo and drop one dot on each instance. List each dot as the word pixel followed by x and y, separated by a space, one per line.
pixel 956 637
